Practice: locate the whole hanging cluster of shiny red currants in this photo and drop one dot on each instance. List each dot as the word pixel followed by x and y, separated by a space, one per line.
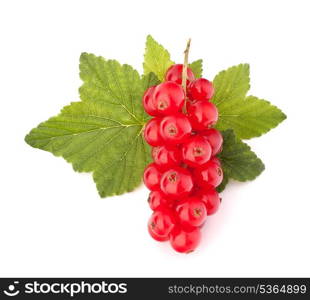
pixel 185 172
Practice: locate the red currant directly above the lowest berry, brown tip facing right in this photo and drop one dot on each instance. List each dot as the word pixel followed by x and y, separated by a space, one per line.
pixel 191 212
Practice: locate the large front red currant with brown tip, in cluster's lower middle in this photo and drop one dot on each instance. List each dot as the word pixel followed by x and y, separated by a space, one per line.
pixel 176 183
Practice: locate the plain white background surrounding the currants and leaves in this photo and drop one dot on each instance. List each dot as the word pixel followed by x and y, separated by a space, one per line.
pixel 52 221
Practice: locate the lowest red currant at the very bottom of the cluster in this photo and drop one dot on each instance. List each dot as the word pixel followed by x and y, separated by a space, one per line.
pixel 185 240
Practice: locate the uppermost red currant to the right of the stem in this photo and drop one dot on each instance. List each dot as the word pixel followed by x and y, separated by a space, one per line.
pixel 200 89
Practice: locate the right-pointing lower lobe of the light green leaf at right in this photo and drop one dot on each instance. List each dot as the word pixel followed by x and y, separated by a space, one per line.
pixel 248 118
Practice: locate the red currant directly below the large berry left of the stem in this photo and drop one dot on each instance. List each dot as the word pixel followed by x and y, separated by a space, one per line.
pixel 175 129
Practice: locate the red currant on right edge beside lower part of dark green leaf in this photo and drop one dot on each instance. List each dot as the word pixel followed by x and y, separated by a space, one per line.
pixel 208 175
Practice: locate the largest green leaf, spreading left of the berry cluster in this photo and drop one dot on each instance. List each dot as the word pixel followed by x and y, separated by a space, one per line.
pixel 102 134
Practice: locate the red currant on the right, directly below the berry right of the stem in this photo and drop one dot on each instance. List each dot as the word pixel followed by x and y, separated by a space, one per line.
pixel 202 114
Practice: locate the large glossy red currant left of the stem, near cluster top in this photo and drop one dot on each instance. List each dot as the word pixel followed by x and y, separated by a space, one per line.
pixel 168 98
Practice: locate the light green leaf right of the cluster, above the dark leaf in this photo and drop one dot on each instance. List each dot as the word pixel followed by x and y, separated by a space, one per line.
pixel 248 116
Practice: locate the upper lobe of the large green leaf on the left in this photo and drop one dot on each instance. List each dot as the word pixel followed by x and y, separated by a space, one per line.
pixel 110 83
